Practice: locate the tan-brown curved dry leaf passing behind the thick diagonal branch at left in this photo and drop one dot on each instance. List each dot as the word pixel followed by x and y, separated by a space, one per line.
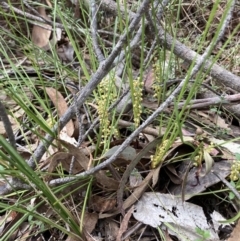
pixel 61 106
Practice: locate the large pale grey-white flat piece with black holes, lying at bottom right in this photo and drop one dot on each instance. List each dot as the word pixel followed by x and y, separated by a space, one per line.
pixel 181 219
